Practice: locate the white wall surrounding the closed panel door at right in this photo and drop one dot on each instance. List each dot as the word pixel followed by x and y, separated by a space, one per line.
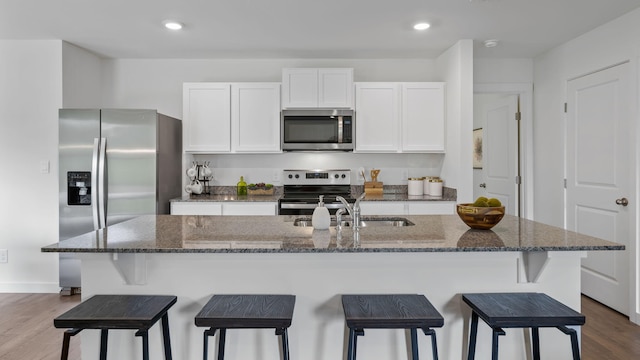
pixel 607 45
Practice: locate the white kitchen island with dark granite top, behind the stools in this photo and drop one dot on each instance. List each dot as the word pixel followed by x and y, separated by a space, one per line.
pixel 195 257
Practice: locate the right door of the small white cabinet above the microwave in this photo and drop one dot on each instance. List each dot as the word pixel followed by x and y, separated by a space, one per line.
pixel 335 88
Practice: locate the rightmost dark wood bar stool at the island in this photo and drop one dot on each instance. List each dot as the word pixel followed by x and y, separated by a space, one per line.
pixel 521 310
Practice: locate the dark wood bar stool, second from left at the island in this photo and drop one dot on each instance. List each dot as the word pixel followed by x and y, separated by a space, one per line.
pixel 224 312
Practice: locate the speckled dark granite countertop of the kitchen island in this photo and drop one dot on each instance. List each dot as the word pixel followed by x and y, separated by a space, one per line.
pixel 277 234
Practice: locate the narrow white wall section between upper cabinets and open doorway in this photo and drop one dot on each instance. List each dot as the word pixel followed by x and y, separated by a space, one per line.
pixel 455 67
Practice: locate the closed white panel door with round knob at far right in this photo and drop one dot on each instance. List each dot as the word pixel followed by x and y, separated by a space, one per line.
pixel 597 178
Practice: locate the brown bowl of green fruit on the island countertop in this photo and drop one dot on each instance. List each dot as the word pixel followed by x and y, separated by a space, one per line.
pixel 482 214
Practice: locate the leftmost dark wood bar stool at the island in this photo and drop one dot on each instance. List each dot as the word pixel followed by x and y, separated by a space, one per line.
pixel 118 312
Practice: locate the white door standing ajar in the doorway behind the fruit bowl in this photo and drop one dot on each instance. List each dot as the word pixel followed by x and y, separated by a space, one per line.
pixel 500 151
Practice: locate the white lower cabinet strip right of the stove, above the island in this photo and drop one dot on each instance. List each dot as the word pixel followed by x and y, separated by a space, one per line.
pixel 407 207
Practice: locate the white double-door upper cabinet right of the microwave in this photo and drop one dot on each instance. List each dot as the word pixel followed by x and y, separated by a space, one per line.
pixel 400 117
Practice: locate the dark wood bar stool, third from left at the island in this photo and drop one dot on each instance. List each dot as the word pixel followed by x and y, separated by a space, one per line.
pixel 391 312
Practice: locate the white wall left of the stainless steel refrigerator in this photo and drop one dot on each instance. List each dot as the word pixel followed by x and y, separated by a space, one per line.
pixel 30 95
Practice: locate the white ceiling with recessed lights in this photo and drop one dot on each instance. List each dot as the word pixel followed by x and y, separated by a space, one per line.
pixel 356 29
